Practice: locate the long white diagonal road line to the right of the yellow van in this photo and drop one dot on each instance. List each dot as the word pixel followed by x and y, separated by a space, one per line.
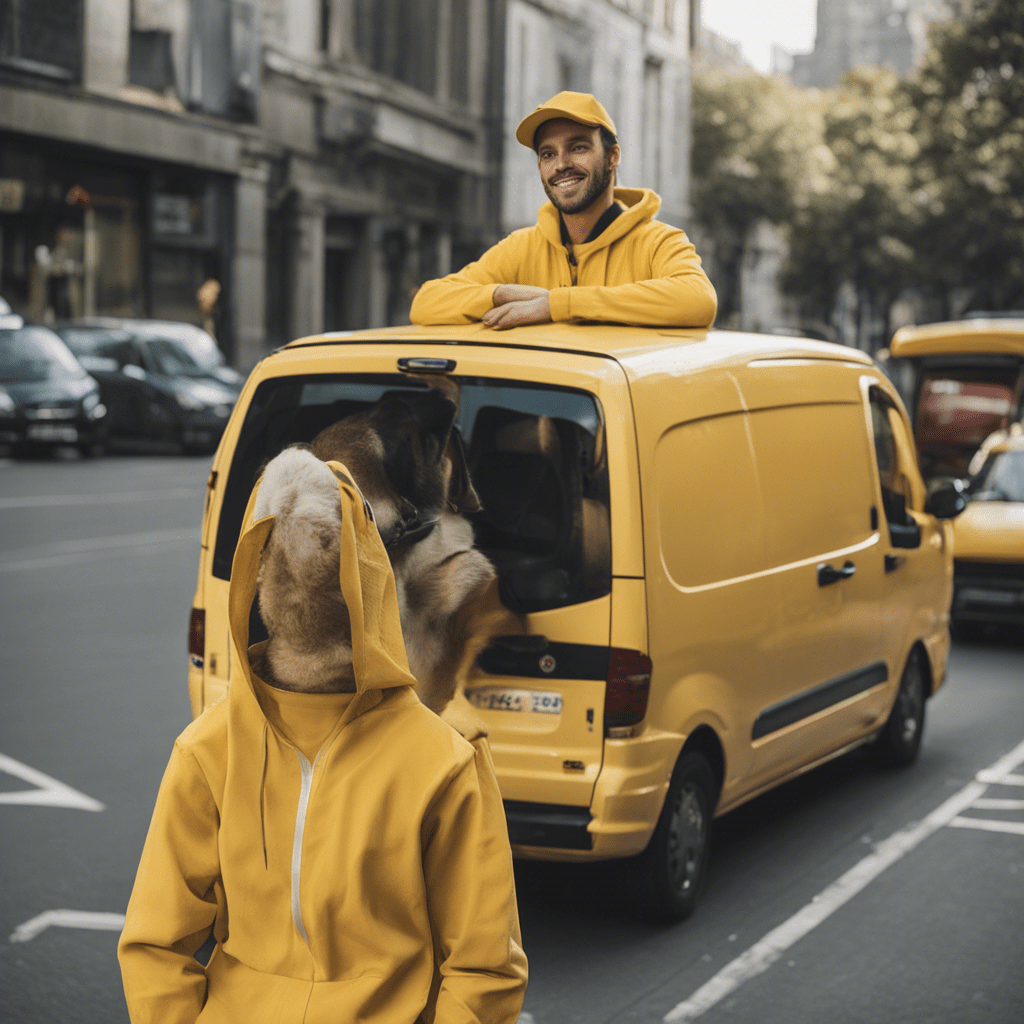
pixel 763 955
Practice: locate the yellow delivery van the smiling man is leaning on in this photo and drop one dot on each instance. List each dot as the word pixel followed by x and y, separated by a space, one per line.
pixel 730 566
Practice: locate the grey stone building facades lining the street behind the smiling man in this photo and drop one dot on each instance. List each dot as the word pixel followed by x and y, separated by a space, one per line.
pixel 319 158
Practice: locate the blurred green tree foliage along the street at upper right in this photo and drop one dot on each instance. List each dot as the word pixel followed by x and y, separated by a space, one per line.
pixel 882 184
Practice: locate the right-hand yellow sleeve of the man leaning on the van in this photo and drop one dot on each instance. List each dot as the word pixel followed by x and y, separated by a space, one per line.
pixel 678 293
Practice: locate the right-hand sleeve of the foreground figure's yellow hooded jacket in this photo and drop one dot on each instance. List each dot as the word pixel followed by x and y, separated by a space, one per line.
pixel 472 894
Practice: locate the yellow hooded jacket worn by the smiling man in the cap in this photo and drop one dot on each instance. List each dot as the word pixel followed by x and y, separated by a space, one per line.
pixel 638 271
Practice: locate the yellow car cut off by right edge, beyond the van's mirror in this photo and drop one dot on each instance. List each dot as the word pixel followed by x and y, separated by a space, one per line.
pixel 989 545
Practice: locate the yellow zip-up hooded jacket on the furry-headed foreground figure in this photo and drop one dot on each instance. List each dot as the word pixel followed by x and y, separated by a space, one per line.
pixel 349 850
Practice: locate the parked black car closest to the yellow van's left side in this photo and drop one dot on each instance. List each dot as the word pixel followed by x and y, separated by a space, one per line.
pixel 161 381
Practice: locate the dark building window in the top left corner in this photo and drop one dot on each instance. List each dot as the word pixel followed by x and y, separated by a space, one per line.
pixel 42 37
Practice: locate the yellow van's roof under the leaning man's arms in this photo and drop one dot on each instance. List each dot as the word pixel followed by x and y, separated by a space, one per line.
pixel 623 344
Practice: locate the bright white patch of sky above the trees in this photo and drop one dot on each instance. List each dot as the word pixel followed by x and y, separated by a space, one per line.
pixel 756 25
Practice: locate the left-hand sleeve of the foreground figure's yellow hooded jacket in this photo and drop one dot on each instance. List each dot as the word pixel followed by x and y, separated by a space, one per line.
pixel 174 904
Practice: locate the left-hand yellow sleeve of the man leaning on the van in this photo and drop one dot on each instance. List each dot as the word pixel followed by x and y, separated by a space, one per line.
pixel 465 296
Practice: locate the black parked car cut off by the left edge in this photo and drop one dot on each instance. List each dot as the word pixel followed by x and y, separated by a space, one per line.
pixel 47 398
